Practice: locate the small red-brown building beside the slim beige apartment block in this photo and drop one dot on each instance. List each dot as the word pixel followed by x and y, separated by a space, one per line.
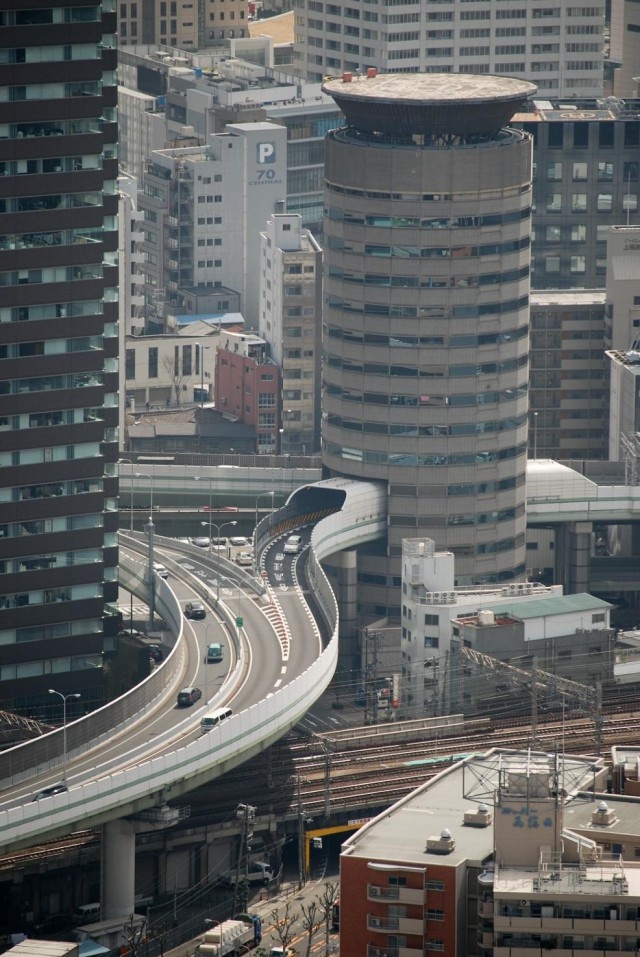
pixel 247 386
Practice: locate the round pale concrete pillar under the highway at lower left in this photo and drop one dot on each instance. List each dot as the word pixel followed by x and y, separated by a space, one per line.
pixel 118 869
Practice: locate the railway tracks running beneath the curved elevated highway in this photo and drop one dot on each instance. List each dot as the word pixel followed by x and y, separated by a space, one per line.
pixel 353 777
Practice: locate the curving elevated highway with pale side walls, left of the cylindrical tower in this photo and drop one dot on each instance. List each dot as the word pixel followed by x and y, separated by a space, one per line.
pixel 133 782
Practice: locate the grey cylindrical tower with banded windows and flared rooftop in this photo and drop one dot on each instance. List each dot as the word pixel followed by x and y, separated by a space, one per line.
pixel 425 338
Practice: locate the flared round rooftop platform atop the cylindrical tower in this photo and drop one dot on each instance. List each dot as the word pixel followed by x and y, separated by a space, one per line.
pixel 432 104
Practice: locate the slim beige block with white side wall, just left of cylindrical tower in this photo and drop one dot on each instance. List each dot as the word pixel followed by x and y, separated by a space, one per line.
pixel 291 322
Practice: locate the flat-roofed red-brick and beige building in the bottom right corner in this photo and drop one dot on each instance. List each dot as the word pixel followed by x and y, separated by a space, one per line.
pixel 507 854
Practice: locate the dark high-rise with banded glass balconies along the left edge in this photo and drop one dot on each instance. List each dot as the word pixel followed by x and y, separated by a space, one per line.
pixel 58 348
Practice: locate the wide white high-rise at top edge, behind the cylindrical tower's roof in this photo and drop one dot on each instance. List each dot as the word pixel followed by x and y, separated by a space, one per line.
pixel 559 47
